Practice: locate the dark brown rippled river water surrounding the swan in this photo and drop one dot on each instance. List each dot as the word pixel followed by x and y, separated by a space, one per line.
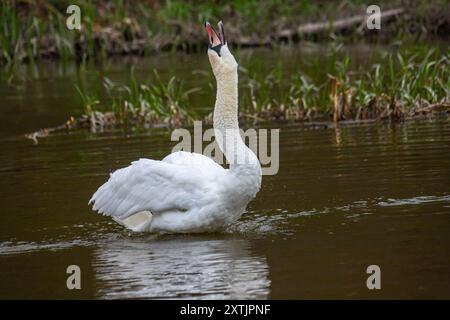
pixel 343 199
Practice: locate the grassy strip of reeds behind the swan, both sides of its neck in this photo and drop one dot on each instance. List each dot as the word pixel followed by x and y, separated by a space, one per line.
pixel 412 83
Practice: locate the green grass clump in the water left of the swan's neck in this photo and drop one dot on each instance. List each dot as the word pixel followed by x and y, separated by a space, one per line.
pixel 138 105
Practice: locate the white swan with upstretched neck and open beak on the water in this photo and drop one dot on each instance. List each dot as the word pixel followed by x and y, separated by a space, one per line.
pixel 189 192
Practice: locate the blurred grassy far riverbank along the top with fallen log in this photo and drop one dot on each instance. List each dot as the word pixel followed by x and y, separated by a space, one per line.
pixel 35 30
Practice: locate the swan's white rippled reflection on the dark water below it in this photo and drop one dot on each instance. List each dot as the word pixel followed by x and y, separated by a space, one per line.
pixel 201 269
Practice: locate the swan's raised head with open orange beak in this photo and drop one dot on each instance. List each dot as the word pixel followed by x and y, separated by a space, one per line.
pixel 220 57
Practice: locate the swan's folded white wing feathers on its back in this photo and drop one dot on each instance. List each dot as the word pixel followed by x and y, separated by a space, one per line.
pixel 157 186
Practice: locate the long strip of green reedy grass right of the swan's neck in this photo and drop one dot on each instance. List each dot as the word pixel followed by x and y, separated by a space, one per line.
pixel 409 82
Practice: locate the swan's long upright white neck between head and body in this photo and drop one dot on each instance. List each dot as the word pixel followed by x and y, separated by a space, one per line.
pixel 242 160
